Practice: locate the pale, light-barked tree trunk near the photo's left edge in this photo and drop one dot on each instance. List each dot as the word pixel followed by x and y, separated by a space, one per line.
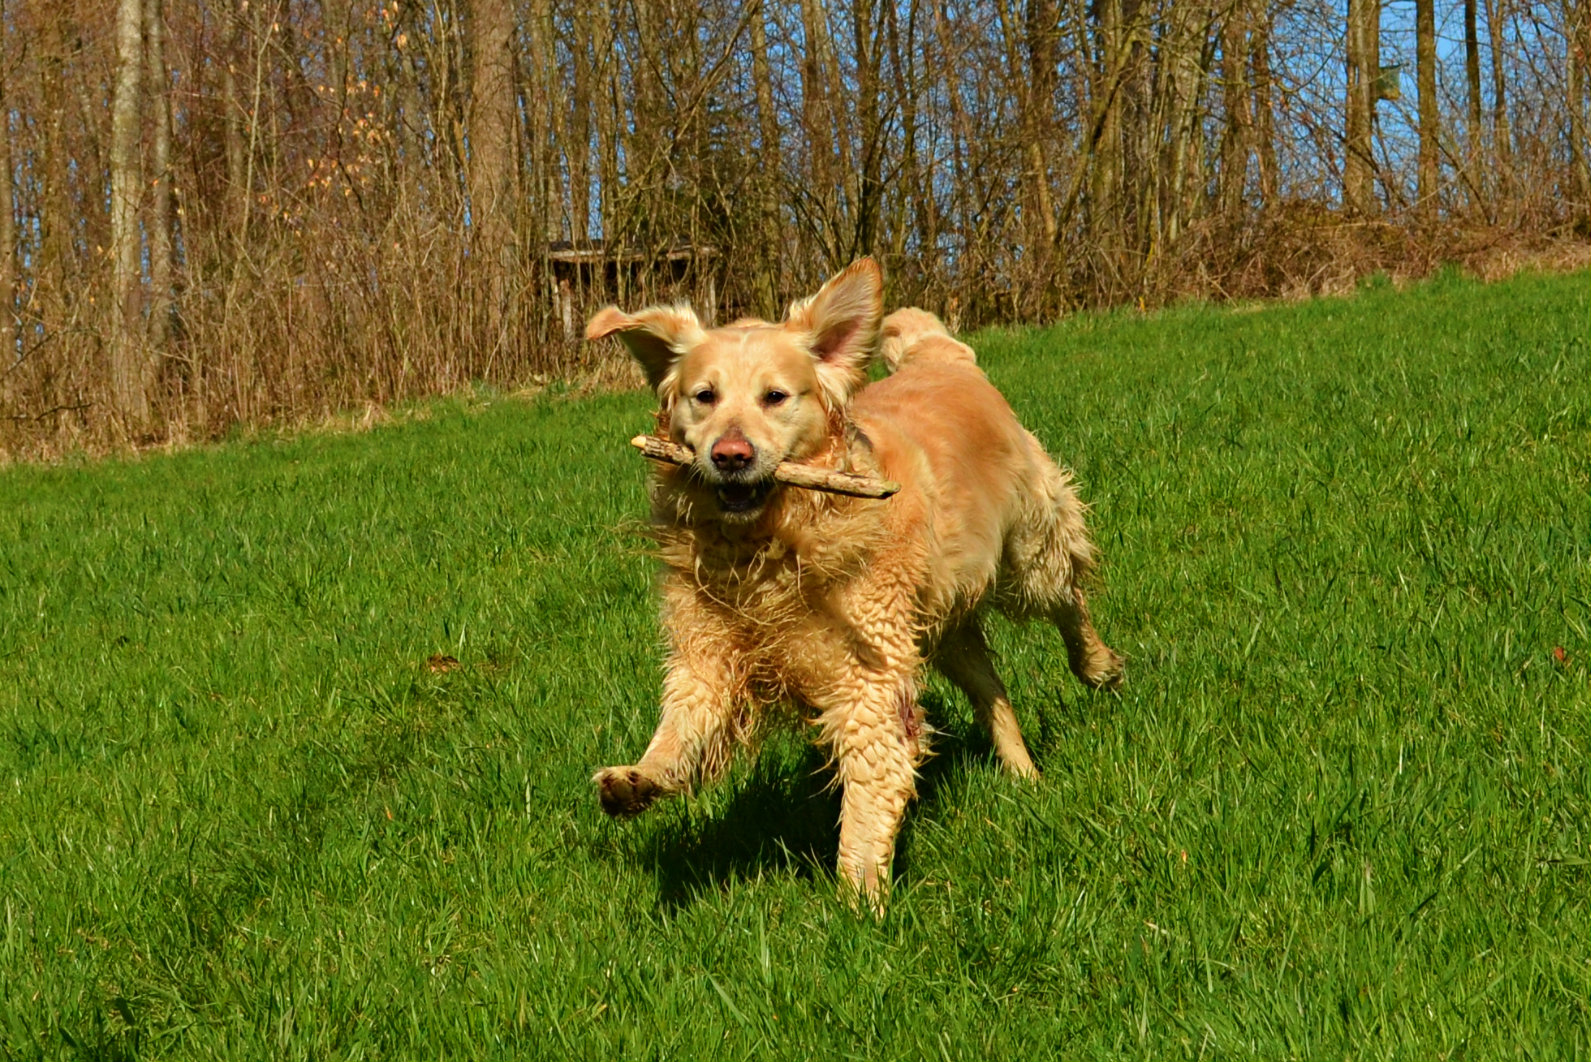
pixel 126 185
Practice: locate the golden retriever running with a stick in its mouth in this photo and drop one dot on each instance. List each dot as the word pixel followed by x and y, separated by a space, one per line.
pixel 777 595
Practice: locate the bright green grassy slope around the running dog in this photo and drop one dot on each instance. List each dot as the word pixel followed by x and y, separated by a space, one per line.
pixel 1340 810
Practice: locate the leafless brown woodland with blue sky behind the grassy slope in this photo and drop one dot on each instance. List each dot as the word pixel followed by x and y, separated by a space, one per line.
pixel 249 212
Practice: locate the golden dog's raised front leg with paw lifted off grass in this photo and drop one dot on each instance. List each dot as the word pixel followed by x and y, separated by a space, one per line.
pixel 702 721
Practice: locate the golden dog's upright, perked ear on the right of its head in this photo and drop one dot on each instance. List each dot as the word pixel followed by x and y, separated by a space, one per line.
pixel 842 327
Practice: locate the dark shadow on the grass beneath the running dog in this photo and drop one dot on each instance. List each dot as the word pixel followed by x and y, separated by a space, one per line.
pixel 785 816
